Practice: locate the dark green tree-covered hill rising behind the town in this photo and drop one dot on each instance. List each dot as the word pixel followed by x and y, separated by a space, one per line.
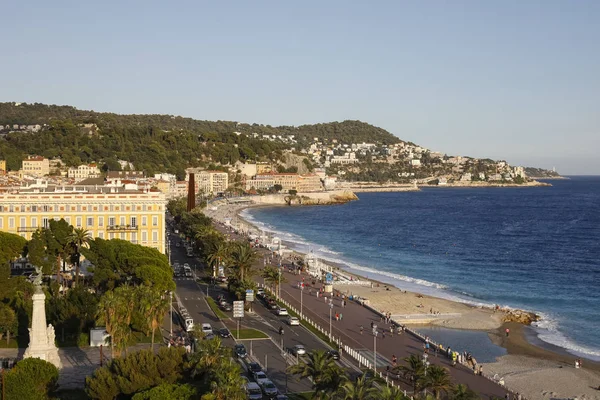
pixel 157 143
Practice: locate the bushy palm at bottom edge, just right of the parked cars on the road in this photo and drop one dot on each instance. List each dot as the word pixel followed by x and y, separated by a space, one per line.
pixel 323 372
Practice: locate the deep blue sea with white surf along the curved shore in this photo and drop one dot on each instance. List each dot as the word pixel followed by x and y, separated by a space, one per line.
pixel 535 248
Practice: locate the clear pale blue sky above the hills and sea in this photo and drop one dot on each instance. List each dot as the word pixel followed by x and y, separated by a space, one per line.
pixel 516 80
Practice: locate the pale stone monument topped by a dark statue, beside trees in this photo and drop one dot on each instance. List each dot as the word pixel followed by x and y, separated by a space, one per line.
pixel 41 336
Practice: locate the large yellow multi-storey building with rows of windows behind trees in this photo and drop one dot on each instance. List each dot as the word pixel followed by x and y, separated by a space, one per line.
pixel 106 212
